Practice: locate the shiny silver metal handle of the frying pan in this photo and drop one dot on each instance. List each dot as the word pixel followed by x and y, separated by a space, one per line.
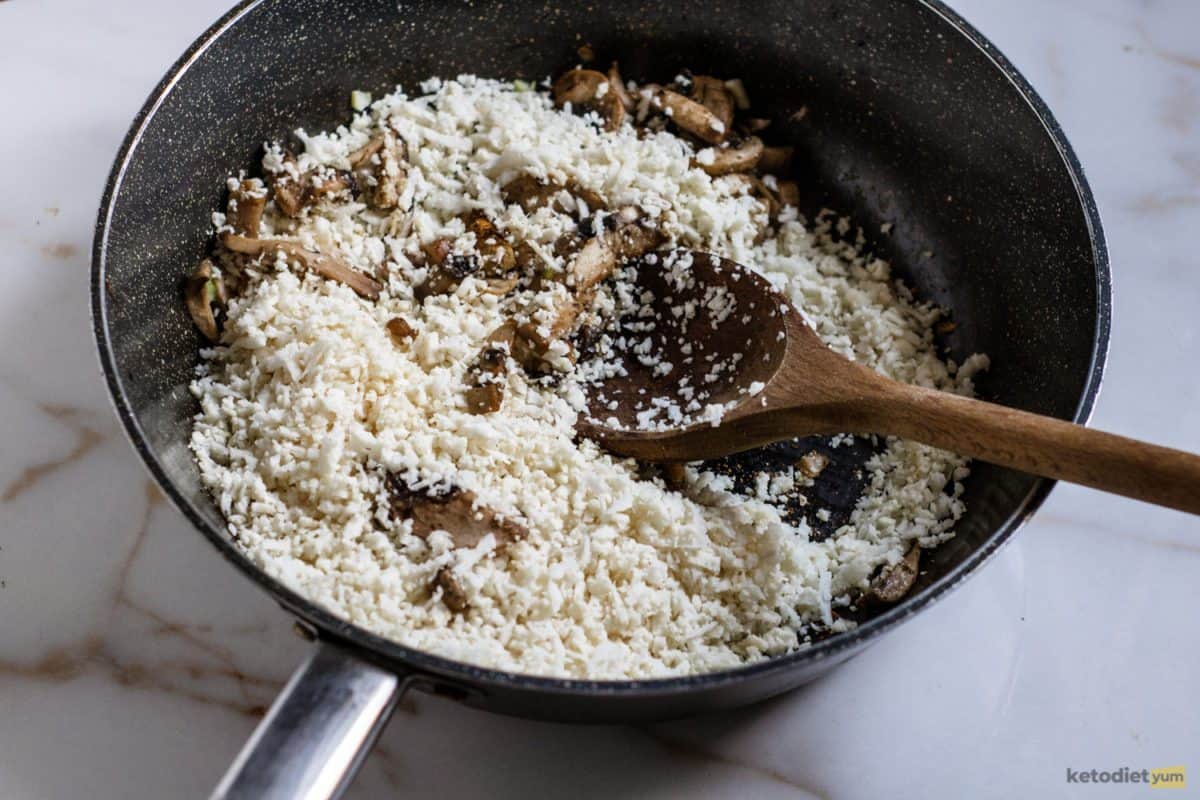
pixel 317 732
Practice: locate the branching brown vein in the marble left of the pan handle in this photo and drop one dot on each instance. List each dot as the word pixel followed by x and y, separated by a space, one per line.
pixel 62 665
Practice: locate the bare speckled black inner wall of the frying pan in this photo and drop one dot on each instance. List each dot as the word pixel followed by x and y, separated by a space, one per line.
pixel 899 123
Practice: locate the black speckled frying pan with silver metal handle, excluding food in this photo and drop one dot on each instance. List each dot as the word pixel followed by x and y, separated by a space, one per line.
pixel 903 116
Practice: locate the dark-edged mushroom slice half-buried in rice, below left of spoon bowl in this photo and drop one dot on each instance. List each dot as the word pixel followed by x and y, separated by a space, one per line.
pixel 457 513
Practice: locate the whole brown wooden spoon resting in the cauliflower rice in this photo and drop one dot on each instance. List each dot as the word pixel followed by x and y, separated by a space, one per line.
pixel 745 347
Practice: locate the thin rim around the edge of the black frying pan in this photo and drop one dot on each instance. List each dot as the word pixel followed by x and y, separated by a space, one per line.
pixel 400 658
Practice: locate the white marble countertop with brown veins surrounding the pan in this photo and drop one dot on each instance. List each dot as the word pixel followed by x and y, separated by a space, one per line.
pixel 134 663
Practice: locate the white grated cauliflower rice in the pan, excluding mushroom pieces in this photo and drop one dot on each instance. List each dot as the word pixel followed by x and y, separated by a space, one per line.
pixel 308 405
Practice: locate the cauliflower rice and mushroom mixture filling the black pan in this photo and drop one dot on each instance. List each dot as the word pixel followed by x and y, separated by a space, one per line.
pixel 401 312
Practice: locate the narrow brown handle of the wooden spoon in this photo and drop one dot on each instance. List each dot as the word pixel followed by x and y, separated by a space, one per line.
pixel 1041 446
